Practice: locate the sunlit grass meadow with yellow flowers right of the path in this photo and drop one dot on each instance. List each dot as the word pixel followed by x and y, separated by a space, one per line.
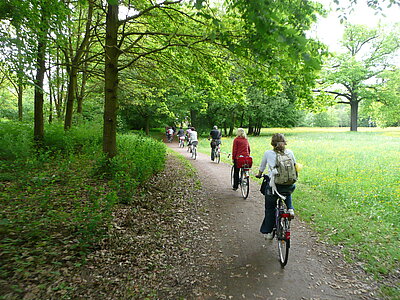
pixel 349 189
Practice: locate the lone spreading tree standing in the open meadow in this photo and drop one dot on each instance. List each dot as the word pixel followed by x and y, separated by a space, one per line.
pixel 353 76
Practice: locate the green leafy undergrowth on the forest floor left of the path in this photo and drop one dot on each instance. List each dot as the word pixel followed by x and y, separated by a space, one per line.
pixel 54 210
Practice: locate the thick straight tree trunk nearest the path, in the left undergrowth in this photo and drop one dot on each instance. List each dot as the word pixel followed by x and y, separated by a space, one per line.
pixel 111 83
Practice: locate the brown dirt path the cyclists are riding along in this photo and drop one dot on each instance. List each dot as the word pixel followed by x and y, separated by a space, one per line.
pixel 248 267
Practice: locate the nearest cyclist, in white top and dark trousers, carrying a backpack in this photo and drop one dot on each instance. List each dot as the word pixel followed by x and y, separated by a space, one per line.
pixel 278 143
